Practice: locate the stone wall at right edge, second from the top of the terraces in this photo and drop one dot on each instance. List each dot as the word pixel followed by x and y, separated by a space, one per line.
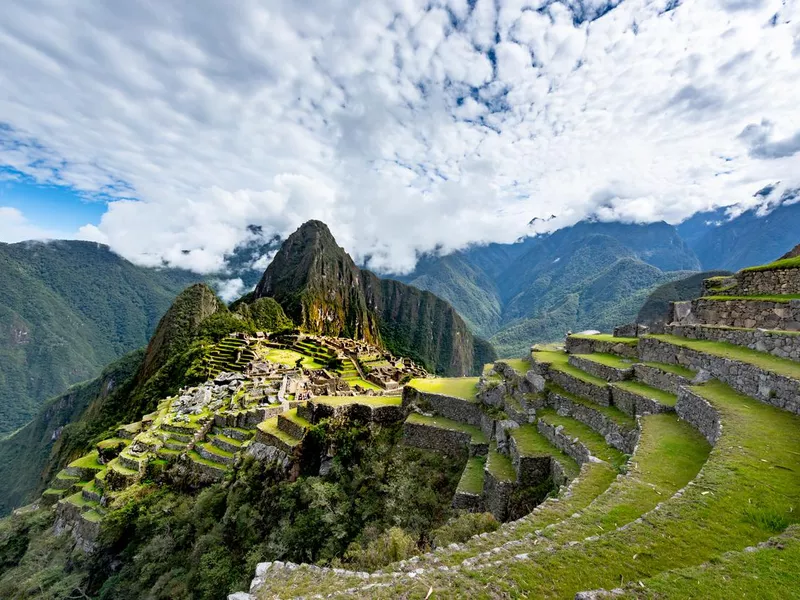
pixel 763 314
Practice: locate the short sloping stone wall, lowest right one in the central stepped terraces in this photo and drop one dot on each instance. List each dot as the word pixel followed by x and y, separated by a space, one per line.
pixel 617 428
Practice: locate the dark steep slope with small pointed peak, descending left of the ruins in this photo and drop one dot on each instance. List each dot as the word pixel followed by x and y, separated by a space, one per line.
pixel 124 391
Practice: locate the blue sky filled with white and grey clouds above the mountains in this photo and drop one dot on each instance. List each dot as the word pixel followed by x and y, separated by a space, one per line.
pixel 166 129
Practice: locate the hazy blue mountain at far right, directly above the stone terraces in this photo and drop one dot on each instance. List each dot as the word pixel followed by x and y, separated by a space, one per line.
pixel 749 239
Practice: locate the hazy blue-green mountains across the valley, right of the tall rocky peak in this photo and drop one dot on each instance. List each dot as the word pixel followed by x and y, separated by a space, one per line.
pixel 589 275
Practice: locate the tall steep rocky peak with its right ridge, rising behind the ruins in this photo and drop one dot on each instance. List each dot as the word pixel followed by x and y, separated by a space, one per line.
pixel 323 291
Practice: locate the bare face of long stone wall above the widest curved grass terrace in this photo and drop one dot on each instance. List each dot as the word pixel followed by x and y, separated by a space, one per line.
pixel 745 378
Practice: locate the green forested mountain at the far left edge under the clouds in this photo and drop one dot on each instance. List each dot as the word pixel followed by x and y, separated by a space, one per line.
pixel 67 309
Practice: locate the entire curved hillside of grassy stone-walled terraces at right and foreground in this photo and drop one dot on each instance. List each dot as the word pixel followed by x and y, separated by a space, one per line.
pixel 667 465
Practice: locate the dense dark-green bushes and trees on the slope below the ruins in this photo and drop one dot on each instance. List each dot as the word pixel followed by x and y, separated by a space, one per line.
pixel 380 502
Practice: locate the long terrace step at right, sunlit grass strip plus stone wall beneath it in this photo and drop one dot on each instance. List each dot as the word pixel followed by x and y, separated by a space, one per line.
pixel 760 375
